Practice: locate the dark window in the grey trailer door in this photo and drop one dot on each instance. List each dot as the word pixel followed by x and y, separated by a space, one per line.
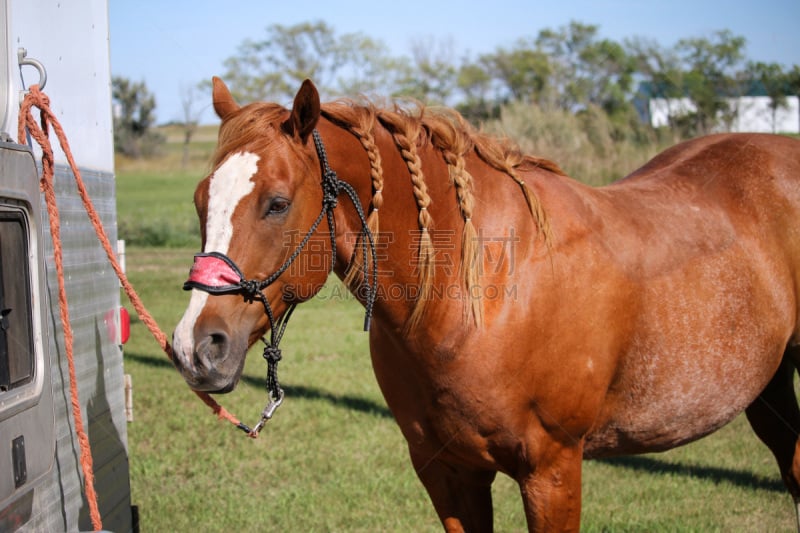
pixel 16 339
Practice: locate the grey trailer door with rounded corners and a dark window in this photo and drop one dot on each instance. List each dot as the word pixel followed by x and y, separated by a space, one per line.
pixel 27 427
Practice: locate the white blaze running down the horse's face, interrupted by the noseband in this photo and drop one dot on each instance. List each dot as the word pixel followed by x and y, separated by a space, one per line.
pixel 230 183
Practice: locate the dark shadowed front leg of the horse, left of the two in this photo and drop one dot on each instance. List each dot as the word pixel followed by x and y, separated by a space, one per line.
pixel 462 497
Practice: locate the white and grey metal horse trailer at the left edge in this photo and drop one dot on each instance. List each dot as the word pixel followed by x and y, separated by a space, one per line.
pixel 64 46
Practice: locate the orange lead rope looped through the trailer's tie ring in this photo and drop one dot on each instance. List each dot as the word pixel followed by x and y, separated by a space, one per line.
pixel 36 98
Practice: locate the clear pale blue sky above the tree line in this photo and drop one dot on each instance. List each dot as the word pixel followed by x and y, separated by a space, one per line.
pixel 173 44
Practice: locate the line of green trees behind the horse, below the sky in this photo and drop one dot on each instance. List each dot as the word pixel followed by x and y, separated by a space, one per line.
pixel 567 69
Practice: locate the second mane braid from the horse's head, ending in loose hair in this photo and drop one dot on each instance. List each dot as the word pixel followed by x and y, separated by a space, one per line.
pixel 405 130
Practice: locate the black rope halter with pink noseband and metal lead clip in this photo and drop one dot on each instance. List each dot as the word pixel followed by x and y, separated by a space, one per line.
pixel 216 273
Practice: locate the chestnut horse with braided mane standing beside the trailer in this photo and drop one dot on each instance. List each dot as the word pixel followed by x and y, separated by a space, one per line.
pixel 521 321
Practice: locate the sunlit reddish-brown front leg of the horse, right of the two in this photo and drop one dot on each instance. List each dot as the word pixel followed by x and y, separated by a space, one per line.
pixel 551 488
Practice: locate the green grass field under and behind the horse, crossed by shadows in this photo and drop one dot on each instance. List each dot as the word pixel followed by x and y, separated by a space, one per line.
pixel 333 459
